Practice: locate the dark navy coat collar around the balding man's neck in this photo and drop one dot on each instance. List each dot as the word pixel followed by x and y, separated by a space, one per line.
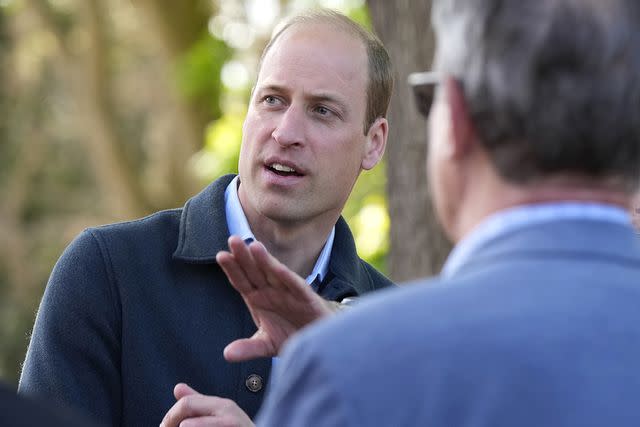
pixel 204 232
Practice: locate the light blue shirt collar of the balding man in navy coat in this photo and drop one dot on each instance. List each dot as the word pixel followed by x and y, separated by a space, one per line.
pixel 239 226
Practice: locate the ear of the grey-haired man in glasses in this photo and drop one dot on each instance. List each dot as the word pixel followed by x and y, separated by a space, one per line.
pixel 462 129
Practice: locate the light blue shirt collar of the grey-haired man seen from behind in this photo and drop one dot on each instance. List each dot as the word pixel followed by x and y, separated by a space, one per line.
pixel 509 220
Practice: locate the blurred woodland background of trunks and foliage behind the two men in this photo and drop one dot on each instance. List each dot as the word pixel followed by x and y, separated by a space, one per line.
pixel 113 109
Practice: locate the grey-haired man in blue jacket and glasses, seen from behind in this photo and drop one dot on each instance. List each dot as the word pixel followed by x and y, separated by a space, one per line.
pixel 534 154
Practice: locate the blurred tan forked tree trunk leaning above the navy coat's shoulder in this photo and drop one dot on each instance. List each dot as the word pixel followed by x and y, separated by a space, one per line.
pixel 91 87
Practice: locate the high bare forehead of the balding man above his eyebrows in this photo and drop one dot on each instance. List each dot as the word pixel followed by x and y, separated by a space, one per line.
pixel 318 56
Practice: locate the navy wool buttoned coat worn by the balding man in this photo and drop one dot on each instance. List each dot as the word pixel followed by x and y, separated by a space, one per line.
pixel 133 308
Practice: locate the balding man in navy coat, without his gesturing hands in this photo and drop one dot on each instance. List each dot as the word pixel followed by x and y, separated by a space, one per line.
pixel 132 309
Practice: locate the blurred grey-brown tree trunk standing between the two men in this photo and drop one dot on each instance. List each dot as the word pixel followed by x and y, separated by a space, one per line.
pixel 418 246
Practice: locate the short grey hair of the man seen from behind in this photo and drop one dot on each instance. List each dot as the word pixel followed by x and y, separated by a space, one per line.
pixel 553 86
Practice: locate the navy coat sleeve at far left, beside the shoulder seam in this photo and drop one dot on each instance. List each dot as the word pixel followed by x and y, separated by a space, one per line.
pixel 74 353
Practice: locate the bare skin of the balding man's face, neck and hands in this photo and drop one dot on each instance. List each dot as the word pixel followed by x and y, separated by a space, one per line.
pixel 306 113
